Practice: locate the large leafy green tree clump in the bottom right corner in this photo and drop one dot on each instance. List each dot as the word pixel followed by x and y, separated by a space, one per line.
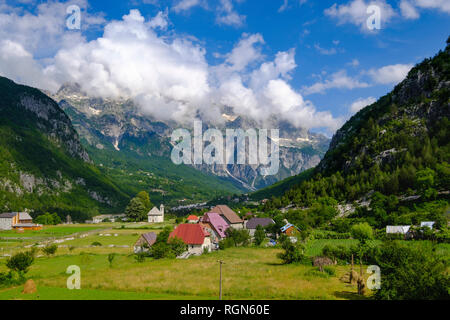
pixel 411 273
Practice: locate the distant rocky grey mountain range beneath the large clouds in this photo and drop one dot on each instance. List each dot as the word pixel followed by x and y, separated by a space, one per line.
pixel 118 126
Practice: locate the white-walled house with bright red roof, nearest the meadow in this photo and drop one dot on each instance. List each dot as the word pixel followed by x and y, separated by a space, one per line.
pixel 194 235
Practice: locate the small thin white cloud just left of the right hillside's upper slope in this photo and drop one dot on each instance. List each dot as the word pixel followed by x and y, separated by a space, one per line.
pixel 339 80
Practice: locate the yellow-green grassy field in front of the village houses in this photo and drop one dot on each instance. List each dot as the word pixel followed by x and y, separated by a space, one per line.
pixel 248 273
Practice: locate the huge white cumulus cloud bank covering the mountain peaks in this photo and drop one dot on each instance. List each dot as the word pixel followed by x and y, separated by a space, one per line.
pixel 168 75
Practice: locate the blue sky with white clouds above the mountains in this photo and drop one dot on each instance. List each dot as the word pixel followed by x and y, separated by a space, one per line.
pixel 310 63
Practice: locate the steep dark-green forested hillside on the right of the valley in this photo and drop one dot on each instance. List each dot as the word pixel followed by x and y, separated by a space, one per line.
pixel 396 148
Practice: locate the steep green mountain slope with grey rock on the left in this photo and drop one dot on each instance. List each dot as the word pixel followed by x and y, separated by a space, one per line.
pixel 42 161
